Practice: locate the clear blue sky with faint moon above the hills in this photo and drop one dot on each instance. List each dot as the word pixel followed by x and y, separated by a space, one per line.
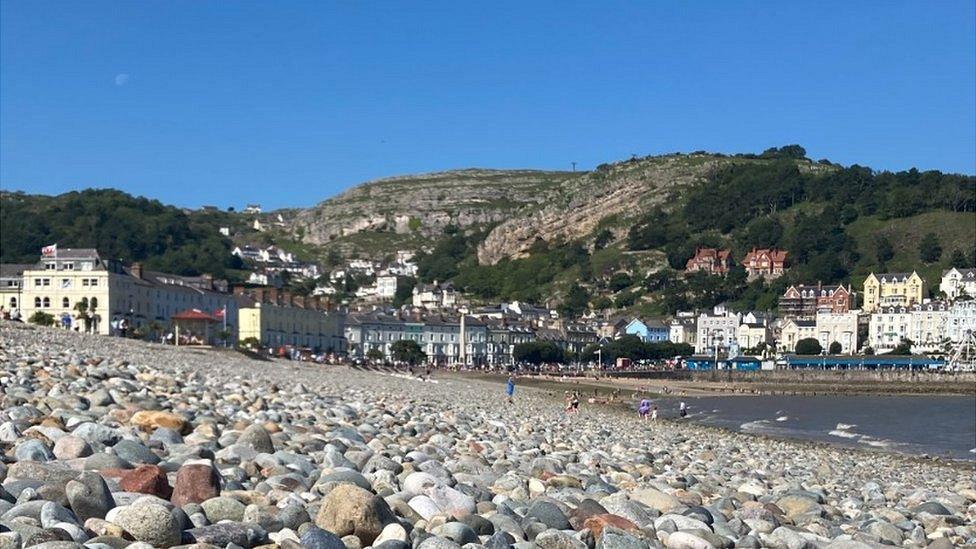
pixel 288 103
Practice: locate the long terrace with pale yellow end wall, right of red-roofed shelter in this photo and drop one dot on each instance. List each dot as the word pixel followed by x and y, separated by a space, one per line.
pixel 276 318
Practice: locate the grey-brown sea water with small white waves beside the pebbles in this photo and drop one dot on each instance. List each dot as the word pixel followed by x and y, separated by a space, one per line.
pixel 943 426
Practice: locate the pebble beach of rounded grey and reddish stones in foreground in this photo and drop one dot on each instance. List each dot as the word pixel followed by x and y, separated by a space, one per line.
pixel 110 443
